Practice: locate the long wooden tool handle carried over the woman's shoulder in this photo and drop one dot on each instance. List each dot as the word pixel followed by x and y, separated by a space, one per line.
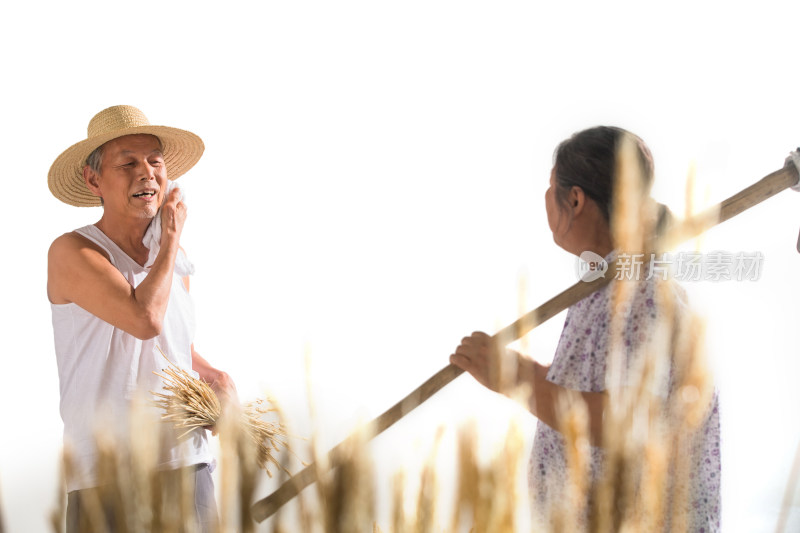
pixel 742 201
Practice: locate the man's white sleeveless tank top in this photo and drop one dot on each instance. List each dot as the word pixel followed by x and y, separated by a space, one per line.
pixel 101 369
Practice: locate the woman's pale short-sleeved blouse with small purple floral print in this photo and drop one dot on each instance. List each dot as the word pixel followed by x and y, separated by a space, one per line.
pixel 580 364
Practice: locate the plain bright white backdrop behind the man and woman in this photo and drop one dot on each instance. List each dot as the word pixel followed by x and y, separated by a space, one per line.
pixel 372 190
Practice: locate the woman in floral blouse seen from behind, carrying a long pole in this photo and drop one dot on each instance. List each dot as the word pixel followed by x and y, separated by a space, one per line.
pixel 579 203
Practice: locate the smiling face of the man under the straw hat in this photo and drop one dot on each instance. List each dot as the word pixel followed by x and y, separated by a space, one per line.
pixel 133 176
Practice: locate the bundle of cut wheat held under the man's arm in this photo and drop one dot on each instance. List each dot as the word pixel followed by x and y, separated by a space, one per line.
pixel 190 403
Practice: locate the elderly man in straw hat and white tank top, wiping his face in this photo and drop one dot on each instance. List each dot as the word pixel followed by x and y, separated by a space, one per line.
pixel 120 302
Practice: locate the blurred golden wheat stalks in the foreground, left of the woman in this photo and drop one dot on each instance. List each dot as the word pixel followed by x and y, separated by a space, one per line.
pixel 343 501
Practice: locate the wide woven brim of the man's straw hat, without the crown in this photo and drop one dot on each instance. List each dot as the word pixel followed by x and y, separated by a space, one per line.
pixel 182 150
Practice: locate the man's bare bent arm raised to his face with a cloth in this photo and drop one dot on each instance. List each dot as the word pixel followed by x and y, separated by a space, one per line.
pixel 79 272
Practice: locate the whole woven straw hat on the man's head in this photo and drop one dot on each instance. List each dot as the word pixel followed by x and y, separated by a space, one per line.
pixel 182 149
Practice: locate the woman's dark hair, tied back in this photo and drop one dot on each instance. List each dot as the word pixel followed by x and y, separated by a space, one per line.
pixel 588 160
